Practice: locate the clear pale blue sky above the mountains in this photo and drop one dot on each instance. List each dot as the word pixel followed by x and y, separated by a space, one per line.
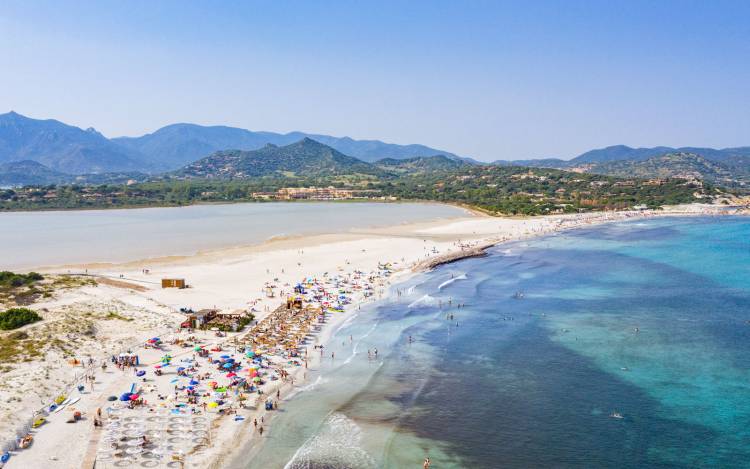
pixel 484 79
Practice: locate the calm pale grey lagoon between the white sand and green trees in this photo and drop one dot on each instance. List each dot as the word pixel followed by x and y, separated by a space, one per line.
pixel 32 239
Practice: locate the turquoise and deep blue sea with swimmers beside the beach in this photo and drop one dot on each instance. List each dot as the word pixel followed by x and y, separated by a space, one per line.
pixel 647 319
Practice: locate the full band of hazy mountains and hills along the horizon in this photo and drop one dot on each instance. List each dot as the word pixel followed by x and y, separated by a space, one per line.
pixel 34 151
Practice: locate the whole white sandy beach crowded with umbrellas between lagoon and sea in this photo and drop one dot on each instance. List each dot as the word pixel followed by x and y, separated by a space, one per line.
pixel 92 325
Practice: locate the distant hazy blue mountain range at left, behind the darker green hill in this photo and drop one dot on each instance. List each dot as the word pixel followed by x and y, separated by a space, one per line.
pixel 72 150
